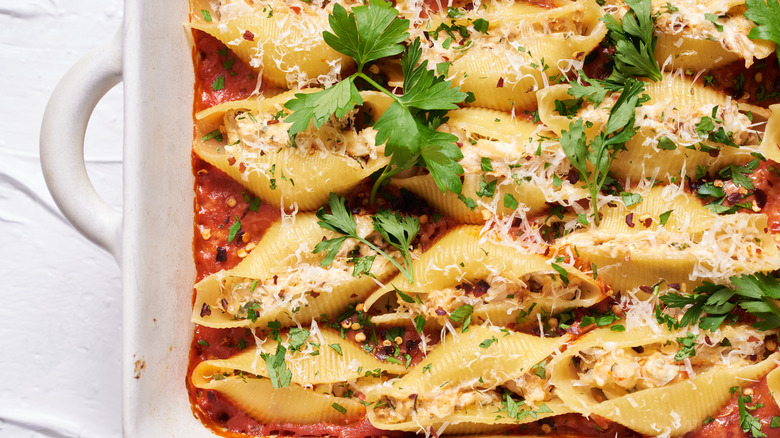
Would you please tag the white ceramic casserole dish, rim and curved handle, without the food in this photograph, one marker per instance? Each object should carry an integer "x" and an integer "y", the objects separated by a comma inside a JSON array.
[{"x": 152, "y": 237}]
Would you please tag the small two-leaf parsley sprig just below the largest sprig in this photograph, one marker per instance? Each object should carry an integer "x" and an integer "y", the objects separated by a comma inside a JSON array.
[{"x": 395, "y": 229}]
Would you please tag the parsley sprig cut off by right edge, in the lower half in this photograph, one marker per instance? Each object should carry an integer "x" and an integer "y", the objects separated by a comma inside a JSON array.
[{"x": 755, "y": 293}]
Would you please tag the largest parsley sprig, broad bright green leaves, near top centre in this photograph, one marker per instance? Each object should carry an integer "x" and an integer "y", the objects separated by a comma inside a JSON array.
[{"x": 408, "y": 126}]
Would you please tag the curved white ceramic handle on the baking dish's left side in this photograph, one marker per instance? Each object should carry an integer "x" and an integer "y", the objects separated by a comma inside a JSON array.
[{"x": 62, "y": 144}]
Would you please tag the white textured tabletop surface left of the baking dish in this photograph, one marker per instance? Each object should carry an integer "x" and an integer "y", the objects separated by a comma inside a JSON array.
[{"x": 60, "y": 322}]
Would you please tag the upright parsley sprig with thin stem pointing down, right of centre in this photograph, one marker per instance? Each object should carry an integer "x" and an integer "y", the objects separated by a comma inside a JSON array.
[{"x": 601, "y": 151}]
